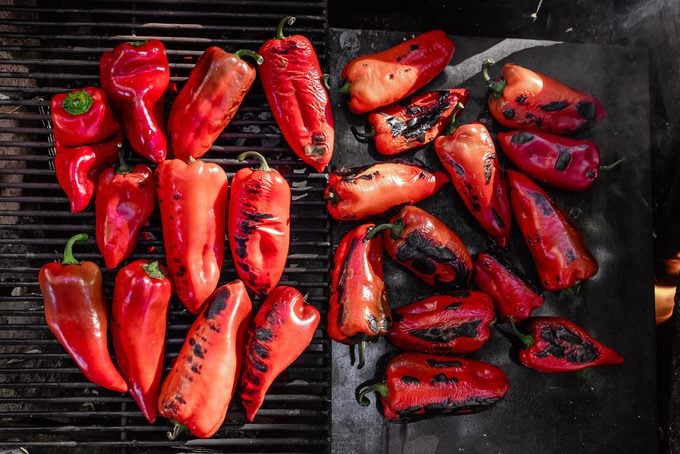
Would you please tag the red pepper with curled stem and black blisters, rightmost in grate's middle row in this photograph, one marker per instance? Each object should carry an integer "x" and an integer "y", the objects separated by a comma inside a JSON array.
[{"x": 258, "y": 224}]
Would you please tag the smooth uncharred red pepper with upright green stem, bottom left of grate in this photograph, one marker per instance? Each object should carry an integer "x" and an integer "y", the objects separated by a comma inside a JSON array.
[{"x": 77, "y": 315}]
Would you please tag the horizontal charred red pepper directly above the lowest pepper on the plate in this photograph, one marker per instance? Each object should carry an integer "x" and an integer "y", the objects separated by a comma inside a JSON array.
[{"x": 450, "y": 324}]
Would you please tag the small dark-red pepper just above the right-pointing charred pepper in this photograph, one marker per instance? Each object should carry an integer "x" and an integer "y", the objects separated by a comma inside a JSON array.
[{"x": 513, "y": 297}]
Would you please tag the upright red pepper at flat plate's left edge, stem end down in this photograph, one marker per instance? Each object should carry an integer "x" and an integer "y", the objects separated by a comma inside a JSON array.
[{"x": 358, "y": 309}]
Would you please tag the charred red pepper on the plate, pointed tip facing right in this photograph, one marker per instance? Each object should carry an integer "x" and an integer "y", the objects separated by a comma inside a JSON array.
[{"x": 559, "y": 345}]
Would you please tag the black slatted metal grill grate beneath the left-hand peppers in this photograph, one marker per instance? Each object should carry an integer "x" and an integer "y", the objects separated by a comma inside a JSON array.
[{"x": 49, "y": 47}]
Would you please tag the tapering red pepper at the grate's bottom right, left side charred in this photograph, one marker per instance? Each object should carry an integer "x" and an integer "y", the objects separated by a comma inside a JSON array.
[{"x": 281, "y": 331}]
